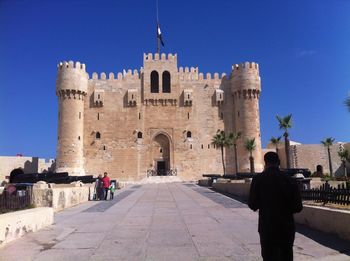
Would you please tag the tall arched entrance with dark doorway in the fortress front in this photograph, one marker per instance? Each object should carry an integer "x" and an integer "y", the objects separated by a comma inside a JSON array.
[{"x": 161, "y": 154}]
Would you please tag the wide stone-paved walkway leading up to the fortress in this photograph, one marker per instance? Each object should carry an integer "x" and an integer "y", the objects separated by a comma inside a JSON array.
[{"x": 174, "y": 221}]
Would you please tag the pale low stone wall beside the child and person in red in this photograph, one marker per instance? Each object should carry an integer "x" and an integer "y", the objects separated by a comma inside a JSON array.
[{"x": 61, "y": 196}]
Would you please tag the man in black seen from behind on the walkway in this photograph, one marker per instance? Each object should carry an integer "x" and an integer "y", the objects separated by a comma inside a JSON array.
[{"x": 277, "y": 197}]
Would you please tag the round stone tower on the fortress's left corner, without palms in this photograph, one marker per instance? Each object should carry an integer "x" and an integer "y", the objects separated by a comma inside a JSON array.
[{"x": 71, "y": 89}]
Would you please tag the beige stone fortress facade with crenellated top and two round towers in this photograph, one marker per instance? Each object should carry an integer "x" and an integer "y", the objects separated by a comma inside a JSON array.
[{"x": 160, "y": 118}]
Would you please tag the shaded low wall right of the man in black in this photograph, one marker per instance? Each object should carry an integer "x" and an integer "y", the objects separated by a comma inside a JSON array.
[{"x": 326, "y": 220}]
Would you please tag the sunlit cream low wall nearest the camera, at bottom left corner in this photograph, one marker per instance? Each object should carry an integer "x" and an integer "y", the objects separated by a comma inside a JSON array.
[{"x": 15, "y": 224}]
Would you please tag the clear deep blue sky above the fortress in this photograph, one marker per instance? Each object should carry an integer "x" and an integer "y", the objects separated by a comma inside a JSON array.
[{"x": 302, "y": 46}]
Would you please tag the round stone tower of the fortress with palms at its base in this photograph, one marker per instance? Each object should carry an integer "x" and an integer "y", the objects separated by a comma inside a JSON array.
[{"x": 246, "y": 87}]
